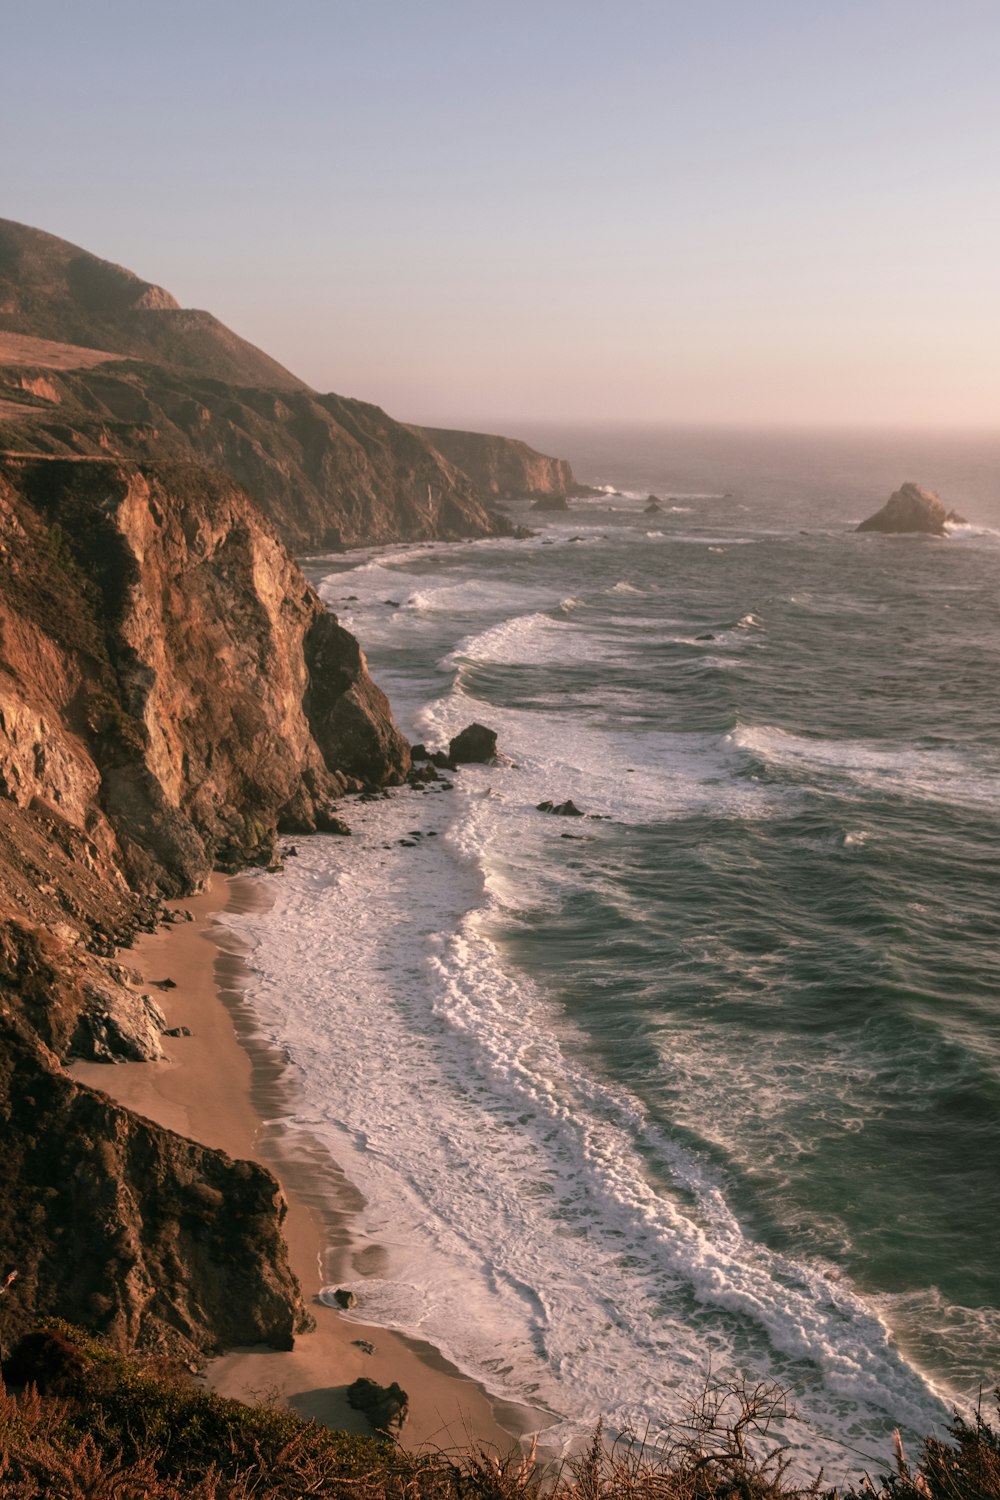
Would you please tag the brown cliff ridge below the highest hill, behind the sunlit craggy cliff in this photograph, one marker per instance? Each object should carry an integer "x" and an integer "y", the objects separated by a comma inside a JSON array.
[{"x": 329, "y": 472}]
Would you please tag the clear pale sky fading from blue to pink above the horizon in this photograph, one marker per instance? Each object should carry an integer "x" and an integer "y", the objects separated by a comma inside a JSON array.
[{"x": 753, "y": 212}]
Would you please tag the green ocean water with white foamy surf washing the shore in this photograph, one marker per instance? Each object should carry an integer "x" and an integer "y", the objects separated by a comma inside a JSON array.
[{"x": 708, "y": 1081}]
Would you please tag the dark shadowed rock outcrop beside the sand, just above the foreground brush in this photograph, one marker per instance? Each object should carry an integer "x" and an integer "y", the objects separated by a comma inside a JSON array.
[{"x": 115, "y": 1223}]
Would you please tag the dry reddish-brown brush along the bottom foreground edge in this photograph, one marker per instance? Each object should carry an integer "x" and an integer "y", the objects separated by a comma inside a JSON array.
[{"x": 80, "y": 1420}]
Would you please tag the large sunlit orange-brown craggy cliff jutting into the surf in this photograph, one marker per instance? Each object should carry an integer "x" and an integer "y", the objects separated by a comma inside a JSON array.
[{"x": 197, "y": 695}]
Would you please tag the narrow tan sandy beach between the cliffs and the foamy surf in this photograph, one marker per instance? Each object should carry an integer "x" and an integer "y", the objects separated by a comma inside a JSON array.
[{"x": 226, "y": 1088}]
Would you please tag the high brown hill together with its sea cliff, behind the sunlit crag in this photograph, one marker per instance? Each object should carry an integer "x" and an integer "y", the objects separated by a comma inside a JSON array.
[{"x": 95, "y": 361}]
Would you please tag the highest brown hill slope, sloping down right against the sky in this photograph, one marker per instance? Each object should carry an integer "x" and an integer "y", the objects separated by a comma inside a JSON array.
[{"x": 55, "y": 290}]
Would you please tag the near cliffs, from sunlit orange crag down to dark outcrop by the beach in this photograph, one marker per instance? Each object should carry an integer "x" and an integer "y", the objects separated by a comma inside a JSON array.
[{"x": 172, "y": 694}]
